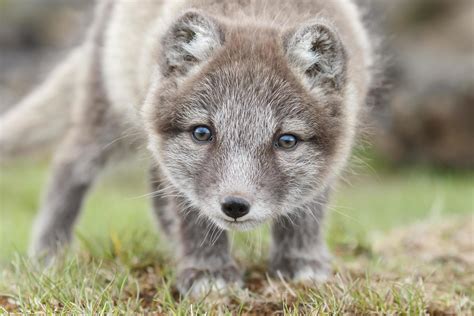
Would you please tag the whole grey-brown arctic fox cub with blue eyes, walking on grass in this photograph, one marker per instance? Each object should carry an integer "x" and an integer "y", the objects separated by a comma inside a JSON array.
[{"x": 248, "y": 108}]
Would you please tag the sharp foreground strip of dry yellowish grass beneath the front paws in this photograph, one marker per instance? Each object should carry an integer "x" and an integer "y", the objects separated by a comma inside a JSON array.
[{"x": 426, "y": 268}]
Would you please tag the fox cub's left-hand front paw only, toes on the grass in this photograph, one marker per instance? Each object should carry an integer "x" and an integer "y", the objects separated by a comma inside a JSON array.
[{"x": 198, "y": 282}]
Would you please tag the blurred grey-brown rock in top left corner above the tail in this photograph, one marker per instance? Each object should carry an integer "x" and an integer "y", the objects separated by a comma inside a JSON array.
[{"x": 34, "y": 35}]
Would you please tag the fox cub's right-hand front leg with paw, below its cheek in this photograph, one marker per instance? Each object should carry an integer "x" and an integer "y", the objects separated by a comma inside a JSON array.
[{"x": 298, "y": 251}]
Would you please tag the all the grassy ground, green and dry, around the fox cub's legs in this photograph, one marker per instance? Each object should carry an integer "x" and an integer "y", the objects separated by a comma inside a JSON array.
[{"x": 402, "y": 240}]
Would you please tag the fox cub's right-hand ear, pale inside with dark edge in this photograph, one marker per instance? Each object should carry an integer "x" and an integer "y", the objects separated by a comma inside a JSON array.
[{"x": 316, "y": 52}]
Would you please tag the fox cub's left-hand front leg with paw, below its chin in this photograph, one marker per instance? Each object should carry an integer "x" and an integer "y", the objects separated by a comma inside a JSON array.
[{"x": 204, "y": 260}]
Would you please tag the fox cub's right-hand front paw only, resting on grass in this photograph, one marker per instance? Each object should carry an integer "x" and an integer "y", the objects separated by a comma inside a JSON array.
[{"x": 301, "y": 270}]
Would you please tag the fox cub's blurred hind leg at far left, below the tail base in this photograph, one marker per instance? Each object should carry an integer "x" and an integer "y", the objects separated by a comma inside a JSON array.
[{"x": 95, "y": 135}]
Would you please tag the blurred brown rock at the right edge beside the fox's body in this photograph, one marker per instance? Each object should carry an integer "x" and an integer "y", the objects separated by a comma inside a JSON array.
[{"x": 431, "y": 115}]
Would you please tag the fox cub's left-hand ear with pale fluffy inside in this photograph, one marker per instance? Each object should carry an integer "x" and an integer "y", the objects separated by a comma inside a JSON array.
[{"x": 190, "y": 40}]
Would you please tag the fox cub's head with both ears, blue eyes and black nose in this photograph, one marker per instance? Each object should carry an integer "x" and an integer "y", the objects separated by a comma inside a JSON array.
[{"x": 246, "y": 122}]
